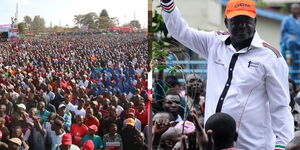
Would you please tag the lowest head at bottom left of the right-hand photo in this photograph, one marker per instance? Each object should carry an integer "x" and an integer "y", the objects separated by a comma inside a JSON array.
[{"x": 169, "y": 138}]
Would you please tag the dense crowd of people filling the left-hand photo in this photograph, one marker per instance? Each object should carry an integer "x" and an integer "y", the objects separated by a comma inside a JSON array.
[{"x": 74, "y": 91}]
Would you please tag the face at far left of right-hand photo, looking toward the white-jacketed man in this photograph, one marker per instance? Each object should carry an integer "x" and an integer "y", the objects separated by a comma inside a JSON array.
[{"x": 171, "y": 104}]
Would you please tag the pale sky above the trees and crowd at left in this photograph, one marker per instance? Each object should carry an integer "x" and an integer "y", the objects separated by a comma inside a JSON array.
[{"x": 63, "y": 11}]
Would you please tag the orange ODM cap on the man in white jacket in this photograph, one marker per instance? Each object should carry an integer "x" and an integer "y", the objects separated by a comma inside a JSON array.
[{"x": 240, "y": 7}]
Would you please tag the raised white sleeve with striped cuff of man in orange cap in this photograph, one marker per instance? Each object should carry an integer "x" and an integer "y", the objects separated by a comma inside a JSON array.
[{"x": 198, "y": 41}]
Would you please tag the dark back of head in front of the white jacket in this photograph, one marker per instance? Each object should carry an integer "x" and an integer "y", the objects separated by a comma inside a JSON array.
[{"x": 223, "y": 128}]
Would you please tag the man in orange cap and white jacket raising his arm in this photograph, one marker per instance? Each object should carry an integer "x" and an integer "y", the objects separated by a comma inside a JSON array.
[{"x": 246, "y": 77}]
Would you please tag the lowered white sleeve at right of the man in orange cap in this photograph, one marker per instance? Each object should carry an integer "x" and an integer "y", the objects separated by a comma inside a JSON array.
[{"x": 277, "y": 87}]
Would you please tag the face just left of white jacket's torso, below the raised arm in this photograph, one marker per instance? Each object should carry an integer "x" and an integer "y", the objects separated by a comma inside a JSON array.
[{"x": 193, "y": 84}]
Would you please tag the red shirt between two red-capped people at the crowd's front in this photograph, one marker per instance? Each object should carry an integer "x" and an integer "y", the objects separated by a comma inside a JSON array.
[{"x": 78, "y": 132}]
